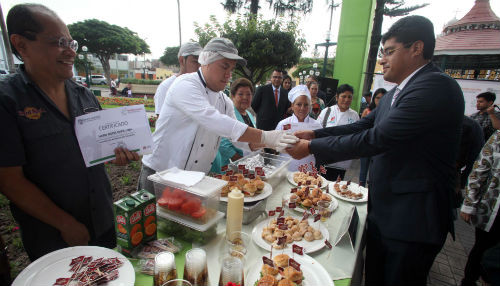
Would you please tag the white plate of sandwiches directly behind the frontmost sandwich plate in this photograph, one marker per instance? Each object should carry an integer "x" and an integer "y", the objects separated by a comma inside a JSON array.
[{"x": 309, "y": 247}]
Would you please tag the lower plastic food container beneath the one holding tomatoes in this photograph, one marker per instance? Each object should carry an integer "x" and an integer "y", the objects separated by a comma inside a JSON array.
[{"x": 186, "y": 230}]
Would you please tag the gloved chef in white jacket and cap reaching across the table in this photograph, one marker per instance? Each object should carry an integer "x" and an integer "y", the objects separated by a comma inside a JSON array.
[{"x": 196, "y": 114}]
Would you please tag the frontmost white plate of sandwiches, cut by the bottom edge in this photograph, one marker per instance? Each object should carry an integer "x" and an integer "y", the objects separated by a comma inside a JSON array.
[{"x": 313, "y": 272}]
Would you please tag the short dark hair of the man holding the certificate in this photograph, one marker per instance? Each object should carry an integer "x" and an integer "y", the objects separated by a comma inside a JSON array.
[{"x": 21, "y": 20}]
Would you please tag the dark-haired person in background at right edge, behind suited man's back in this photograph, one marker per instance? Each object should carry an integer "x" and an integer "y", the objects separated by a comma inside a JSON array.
[{"x": 486, "y": 115}]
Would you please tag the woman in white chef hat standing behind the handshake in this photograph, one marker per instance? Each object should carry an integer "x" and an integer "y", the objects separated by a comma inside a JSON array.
[{"x": 300, "y": 98}]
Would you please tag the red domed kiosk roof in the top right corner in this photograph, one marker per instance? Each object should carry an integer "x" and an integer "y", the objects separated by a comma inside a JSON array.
[{"x": 470, "y": 47}]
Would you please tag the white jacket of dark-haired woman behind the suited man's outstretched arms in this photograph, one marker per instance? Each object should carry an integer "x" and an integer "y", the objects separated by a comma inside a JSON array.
[{"x": 337, "y": 118}]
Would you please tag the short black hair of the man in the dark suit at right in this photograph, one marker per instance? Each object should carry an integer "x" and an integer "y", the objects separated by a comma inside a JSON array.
[{"x": 410, "y": 29}]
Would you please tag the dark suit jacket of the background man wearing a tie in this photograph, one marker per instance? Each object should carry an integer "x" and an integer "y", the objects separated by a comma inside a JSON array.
[{"x": 264, "y": 105}]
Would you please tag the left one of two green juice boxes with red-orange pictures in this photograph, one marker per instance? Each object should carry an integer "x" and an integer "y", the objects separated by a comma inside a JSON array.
[{"x": 129, "y": 231}]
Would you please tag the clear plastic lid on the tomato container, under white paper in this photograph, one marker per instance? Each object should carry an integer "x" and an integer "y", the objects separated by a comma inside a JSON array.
[{"x": 207, "y": 187}]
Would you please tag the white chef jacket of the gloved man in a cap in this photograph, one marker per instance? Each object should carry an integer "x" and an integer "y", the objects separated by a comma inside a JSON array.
[{"x": 191, "y": 122}]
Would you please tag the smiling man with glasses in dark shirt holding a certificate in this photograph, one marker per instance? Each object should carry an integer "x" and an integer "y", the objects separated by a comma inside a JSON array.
[{"x": 56, "y": 200}]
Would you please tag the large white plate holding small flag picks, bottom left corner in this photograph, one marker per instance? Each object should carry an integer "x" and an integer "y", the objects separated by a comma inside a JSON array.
[{"x": 48, "y": 268}]
